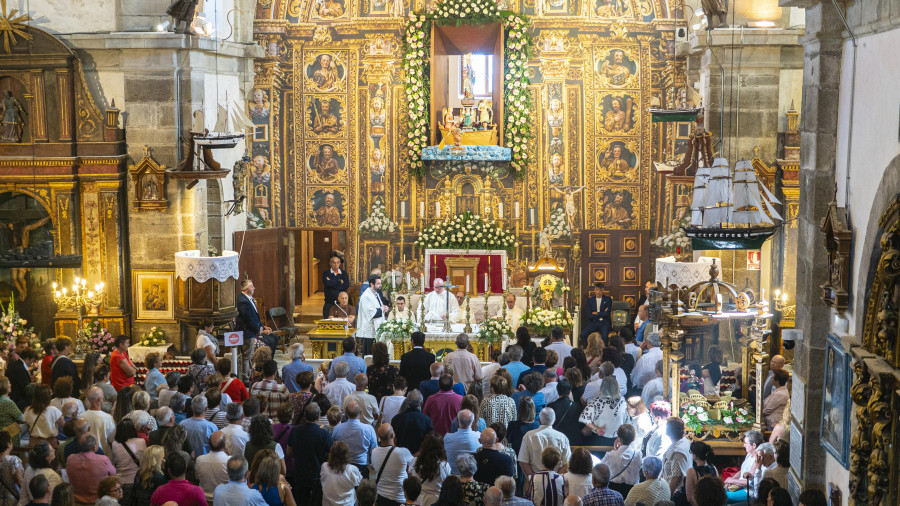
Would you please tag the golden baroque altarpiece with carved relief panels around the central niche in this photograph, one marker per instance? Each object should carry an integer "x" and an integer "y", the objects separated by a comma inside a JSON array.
[{"x": 332, "y": 138}]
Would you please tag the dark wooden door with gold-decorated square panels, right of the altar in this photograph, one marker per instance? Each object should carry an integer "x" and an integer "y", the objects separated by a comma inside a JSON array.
[{"x": 620, "y": 259}]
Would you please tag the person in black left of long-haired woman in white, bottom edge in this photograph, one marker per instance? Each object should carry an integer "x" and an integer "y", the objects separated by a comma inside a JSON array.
[{"x": 309, "y": 444}]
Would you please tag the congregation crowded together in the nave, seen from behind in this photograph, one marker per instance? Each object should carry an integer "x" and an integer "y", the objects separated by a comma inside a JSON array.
[{"x": 521, "y": 430}]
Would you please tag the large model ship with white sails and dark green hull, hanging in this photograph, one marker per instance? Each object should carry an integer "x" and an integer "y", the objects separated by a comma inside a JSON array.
[{"x": 731, "y": 212}]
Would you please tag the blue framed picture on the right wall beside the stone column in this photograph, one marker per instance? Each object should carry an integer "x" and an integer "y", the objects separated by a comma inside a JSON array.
[{"x": 836, "y": 406}]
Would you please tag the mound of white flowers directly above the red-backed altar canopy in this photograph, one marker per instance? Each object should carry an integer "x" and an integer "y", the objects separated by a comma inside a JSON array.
[{"x": 467, "y": 231}]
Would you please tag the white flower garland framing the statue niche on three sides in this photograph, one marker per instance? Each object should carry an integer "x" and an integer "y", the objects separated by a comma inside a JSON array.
[{"x": 416, "y": 66}]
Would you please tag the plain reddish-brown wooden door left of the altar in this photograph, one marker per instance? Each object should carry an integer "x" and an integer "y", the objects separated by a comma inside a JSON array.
[{"x": 264, "y": 259}]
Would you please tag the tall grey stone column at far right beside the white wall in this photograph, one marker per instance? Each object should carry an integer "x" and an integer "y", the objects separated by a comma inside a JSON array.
[{"x": 819, "y": 117}]
